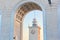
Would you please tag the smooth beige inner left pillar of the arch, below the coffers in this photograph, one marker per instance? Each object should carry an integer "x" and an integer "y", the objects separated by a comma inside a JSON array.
[{"x": 18, "y": 30}]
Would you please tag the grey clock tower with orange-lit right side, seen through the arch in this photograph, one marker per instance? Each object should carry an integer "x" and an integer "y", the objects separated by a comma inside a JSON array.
[{"x": 34, "y": 31}]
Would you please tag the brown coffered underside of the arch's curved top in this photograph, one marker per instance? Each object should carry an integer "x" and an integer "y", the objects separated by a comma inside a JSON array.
[{"x": 25, "y": 8}]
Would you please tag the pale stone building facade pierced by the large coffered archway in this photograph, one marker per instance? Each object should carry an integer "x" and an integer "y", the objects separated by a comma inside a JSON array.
[{"x": 8, "y": 12}]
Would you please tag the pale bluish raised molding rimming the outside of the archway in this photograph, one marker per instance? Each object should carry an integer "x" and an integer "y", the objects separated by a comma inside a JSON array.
[{"x": 15, "y": 9}]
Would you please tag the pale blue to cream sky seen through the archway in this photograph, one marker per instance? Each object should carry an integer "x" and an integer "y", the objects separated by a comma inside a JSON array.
[{"x": 28, "y": 22}]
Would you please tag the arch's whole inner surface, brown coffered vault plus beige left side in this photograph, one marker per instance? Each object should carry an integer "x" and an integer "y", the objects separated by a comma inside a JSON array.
[{"x": 19, "y": 17}]
